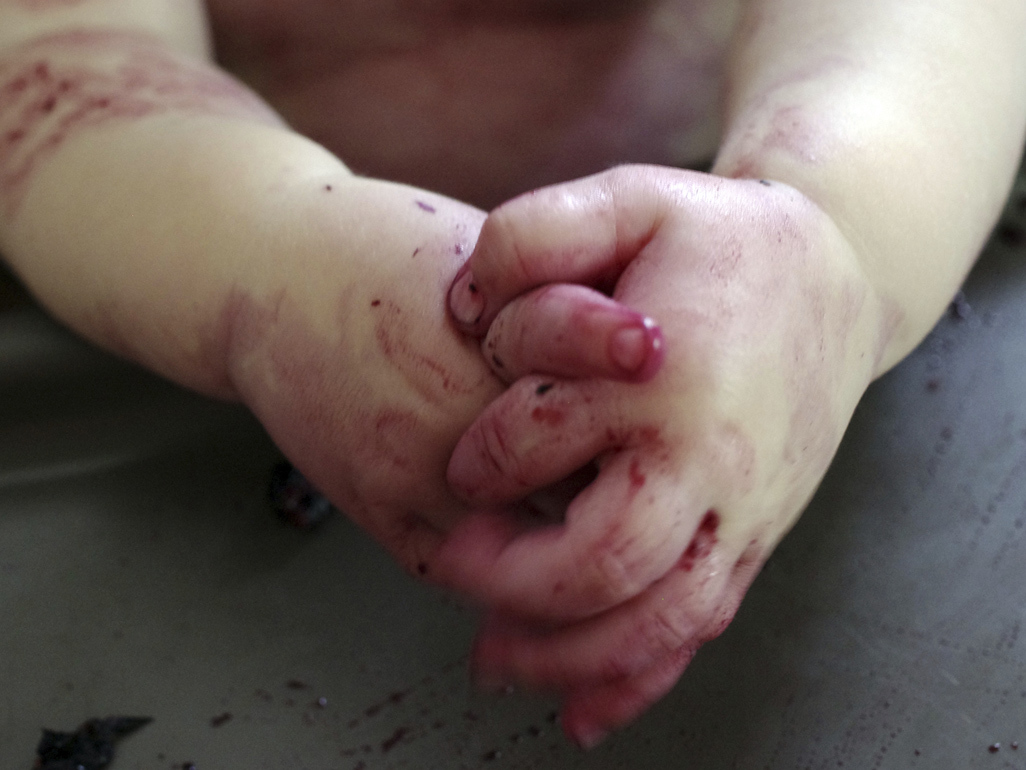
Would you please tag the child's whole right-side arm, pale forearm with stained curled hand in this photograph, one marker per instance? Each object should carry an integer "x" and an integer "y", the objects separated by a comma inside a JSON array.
[{"x": 887, "y": 135}]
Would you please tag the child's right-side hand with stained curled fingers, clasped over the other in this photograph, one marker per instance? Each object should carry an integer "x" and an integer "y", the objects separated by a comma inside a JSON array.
[{"x": 772, "y": 334}]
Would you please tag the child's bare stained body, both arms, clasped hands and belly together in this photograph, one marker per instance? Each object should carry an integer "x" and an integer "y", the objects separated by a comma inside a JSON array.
[{"x": 861, "y": 159}]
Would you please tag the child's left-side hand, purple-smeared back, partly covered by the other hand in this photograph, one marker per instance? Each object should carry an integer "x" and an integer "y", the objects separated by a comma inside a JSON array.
[{"x": 346, "y": 354}]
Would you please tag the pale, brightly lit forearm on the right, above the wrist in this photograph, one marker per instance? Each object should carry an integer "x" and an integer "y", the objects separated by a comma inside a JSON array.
[{"x": 902, "y": 120}]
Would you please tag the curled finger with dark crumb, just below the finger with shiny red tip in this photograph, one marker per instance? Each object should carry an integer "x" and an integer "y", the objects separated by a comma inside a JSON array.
[{"x": 536, "y": 434}]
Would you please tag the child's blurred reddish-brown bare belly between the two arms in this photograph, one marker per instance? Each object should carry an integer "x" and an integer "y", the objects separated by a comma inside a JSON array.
[{"x": 486, "y": 99}]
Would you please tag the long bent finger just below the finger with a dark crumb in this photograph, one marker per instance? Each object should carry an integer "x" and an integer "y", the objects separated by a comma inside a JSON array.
[{"x": 617, "y": 542}]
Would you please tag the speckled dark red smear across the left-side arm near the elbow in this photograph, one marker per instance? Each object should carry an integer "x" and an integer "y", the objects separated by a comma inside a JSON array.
[{"x": 59, "y": 87}]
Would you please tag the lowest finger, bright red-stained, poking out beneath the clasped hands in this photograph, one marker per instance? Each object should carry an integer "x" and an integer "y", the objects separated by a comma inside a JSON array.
[{"x": 591, "y": 715}]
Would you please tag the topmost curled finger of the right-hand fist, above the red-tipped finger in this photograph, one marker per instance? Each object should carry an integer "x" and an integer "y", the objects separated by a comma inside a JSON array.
[{"x": 585, "y": 232}]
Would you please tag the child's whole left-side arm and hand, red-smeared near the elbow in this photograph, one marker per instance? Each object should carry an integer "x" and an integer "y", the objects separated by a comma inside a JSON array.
[{"x": 162, "y": 210}]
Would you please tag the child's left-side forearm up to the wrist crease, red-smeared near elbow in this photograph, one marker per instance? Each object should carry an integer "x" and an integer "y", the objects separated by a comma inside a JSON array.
[{"x": 119, "y": 149}]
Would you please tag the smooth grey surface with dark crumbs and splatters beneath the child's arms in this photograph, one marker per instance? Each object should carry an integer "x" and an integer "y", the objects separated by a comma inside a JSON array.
[{"x": 141, "y": 573}]
